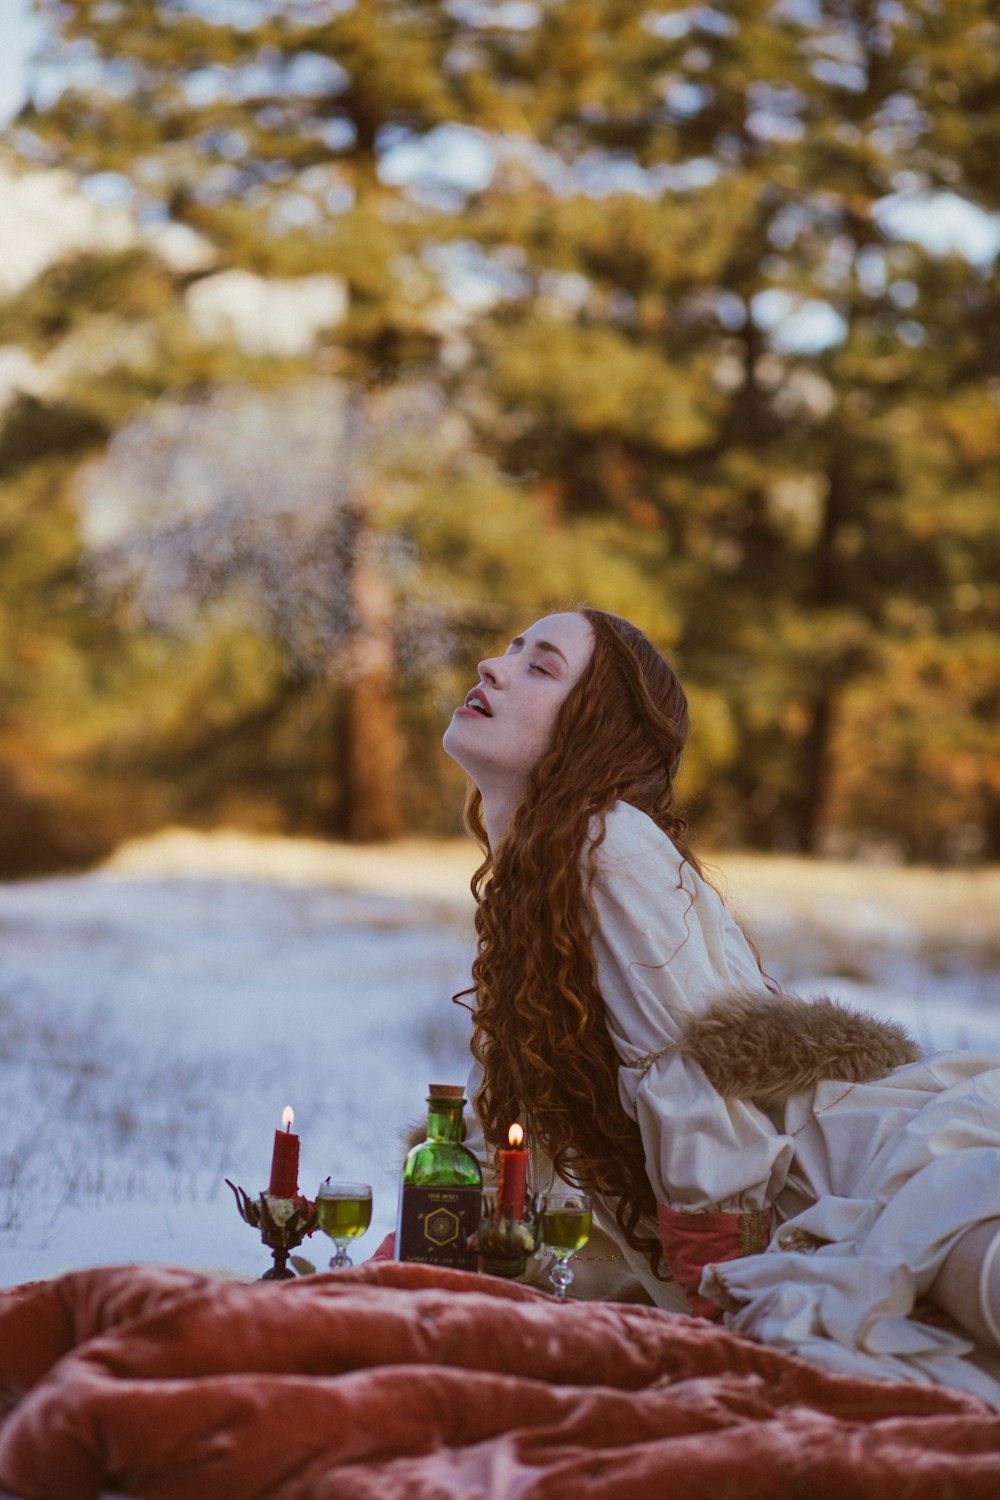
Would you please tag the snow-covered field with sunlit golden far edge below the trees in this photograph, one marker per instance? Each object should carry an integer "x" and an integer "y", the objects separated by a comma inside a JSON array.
[{"x": 158, "y": 1015}]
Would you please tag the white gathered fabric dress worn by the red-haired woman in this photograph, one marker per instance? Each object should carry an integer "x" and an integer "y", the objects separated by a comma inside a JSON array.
[{"x": 866, "y": 1172}]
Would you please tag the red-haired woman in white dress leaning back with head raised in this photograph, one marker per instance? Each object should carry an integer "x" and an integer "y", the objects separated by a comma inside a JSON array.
[{"x": 621, "y": 1012}]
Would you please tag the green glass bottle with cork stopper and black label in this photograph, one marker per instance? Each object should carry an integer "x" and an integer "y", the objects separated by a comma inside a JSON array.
[{"x": 442, "y": 1192}]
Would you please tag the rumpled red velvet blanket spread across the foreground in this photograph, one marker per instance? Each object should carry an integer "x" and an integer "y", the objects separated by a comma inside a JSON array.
[{"x": 406, "y": 1384}]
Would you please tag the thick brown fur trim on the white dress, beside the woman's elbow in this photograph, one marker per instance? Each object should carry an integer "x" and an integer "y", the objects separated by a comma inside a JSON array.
[{"x": 765, "y": 1048}]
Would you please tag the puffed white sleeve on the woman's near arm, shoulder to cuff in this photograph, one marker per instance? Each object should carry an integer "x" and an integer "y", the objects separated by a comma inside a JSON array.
[{"x": 665, "y": 949}]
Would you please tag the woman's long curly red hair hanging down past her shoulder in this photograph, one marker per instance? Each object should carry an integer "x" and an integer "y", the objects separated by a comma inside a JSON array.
[{"x": 540, "y": 1033}]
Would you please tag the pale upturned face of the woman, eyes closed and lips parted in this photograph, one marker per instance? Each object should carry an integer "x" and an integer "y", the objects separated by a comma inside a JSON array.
[{"x": 504, "y": 727}]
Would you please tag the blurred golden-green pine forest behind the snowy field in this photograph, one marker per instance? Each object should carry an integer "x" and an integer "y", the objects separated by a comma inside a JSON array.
[{"x": 380, "y": 328}]
